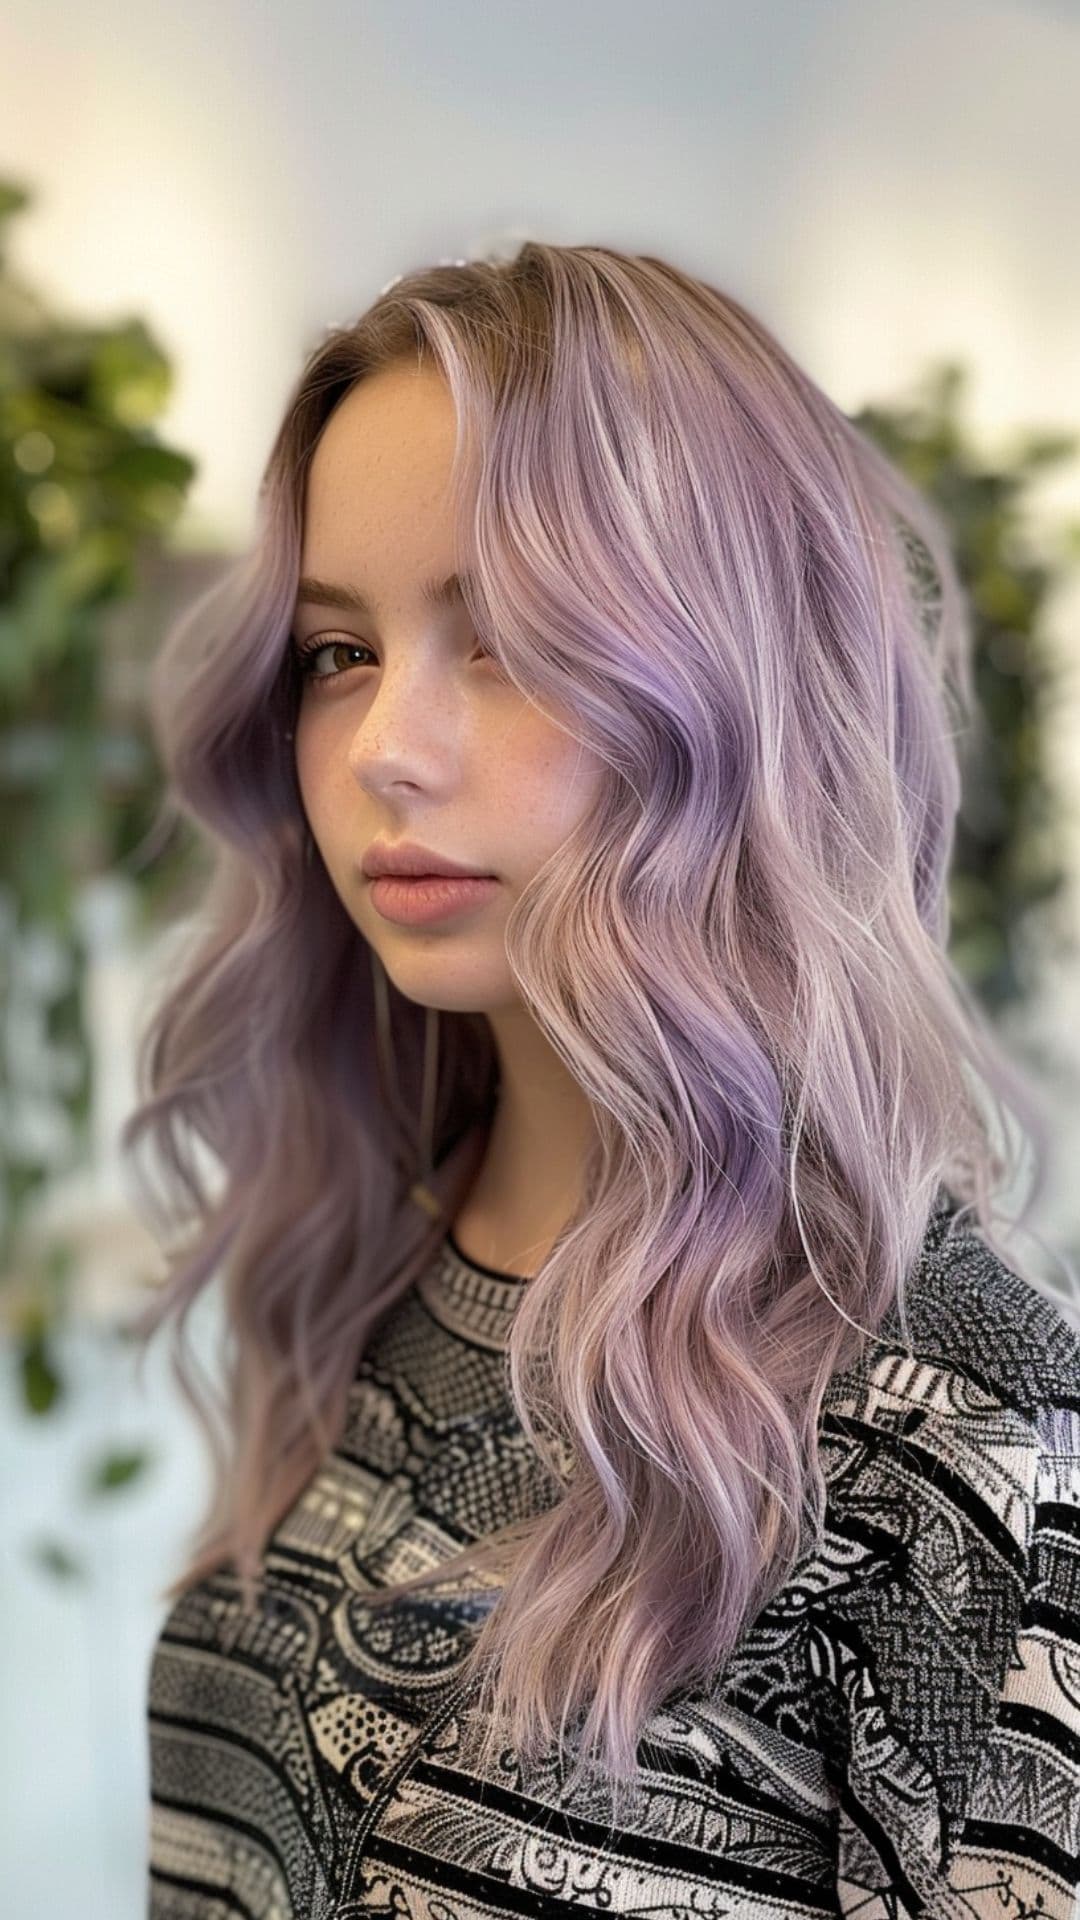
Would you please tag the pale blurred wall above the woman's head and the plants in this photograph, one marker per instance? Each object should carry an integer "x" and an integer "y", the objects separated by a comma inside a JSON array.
[{"x": 881, "y": 181}]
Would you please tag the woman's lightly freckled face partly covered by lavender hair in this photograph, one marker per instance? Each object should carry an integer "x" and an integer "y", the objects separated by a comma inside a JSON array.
[{"x": 406, "y": 729}]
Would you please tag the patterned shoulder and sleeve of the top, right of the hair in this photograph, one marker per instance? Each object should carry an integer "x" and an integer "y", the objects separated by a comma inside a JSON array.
[{"x": 945, "y": 1595}]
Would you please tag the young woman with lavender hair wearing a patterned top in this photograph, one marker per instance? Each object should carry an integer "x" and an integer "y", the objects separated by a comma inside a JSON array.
[{"x": 650, "y": 1489}]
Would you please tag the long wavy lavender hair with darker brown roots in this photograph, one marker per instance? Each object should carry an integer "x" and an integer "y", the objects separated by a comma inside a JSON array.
[{"x": 758, "y": 625}]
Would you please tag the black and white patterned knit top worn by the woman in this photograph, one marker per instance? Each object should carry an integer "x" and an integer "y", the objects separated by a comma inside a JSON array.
[{"x": 896, "y": 1735}]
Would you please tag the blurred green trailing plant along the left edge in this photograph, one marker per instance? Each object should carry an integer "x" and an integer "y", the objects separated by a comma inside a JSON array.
[{"x": 87, "y": 496}]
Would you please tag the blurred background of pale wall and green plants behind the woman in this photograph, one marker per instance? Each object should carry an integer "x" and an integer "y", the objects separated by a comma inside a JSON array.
[{"x": 187, "y": 199}]
